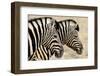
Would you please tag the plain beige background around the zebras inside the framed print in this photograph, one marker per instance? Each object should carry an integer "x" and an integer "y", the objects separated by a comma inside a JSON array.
[{"x": 83, "y": 35}]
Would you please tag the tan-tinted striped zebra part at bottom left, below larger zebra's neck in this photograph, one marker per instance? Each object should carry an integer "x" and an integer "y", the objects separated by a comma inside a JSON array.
[{"x": 42, "y": 53}]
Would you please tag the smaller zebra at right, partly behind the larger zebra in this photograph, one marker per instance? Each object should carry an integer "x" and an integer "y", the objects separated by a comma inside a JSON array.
[{"x": 68, "y": 33}]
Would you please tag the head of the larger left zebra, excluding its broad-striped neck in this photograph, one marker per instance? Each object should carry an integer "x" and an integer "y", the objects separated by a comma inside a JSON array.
[{"x": 53, "y": 40}]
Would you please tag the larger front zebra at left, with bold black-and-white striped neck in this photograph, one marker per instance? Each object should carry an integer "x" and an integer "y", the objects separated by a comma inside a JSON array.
[{"x": 43, "y": 35}]
